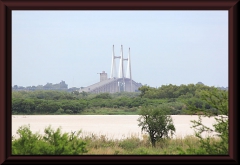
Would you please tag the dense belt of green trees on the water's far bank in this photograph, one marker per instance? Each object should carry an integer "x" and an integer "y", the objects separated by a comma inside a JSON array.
[{"x": 176, "y": 98}]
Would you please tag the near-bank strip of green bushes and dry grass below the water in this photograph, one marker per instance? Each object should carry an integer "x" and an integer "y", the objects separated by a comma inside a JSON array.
[{"x": 53, "y": 142}]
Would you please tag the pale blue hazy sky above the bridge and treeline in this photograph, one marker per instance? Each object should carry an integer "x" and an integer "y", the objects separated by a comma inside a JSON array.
[{"x": 167, "y": 46}]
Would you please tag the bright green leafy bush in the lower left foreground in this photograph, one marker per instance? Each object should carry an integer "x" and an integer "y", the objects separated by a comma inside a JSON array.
[{"x": 52, "y": 143}]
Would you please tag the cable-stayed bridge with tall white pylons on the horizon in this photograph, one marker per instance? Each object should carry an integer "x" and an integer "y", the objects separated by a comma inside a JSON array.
[{"x": 116, "y": 83}]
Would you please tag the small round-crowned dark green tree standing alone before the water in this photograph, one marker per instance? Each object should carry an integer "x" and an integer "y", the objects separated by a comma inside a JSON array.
[{"x": 155, "y": 121}]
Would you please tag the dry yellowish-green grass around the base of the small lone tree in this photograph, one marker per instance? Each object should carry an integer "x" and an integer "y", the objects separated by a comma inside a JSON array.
[{"x": 101, "y": 145}]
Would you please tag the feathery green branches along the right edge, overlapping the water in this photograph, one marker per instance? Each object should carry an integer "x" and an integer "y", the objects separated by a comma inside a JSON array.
[{"x": 219, "y": 100}]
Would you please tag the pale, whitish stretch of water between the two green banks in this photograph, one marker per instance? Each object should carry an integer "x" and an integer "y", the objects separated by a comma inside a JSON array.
[{"x": 112, "y": 126}]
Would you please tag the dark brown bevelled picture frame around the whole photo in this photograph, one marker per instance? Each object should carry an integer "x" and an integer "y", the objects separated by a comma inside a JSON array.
[{"x": 6, "y": 6}]
